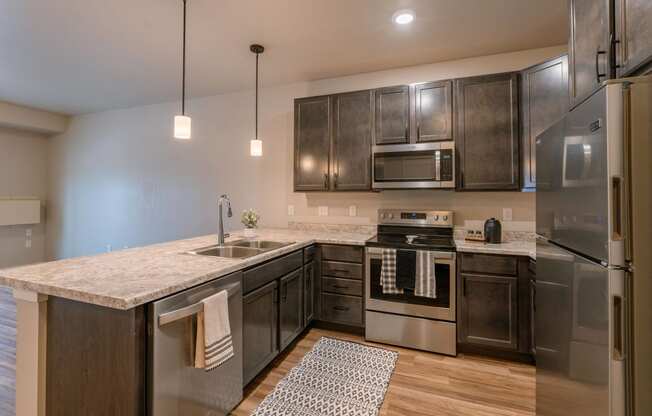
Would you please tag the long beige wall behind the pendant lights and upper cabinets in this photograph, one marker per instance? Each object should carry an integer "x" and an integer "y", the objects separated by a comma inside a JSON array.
[{"x": 118, "y": 178}]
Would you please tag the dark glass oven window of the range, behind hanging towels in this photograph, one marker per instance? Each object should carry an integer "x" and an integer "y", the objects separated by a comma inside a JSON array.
[{"x": 442, "y": 276}]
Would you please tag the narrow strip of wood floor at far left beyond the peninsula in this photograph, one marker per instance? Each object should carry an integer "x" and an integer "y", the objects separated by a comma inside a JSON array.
[{"x": 7, "y": 352}]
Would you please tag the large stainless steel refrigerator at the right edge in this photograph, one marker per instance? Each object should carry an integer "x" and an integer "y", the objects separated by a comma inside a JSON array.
[{"x": 593, "y": 316}]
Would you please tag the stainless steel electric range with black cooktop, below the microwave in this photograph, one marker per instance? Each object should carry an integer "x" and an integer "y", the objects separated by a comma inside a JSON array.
[{"x": 407, "y": 320}]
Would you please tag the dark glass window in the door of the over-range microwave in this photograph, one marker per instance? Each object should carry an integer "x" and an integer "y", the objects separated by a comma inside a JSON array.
[{"x": 410, "y": 166}]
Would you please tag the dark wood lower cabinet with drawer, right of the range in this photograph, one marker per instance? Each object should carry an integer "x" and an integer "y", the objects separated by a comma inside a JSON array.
[{"x": 494, "y": 305}]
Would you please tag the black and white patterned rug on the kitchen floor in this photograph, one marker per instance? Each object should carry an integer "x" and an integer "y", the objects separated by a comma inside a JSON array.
[{"x": 336, "y": 378}]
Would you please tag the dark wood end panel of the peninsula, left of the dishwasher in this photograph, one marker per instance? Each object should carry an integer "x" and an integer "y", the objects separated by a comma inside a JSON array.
[{"x": 96, "y": 359}]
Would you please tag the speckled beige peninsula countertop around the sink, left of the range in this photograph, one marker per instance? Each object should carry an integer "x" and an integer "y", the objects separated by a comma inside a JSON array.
[{"x": 129, "y": 278}]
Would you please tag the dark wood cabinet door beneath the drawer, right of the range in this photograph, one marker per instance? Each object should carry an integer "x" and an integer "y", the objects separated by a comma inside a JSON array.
[{"x": 489, "y": 311}]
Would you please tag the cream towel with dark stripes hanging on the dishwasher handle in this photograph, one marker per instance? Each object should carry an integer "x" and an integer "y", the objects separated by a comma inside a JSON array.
[{"x": 214, "y": 344}]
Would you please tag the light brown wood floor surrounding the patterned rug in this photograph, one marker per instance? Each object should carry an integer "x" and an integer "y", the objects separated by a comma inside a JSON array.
[{"x": 424, "y": 384}]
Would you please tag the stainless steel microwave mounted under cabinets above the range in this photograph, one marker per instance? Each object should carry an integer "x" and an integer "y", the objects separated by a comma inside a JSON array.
[{"x": 414, "y": 166}]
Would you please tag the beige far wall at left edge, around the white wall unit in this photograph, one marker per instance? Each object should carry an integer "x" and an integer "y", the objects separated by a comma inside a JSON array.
[{"x": 23, "y": 164}]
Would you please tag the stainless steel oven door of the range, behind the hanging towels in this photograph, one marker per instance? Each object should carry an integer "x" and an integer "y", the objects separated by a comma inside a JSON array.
[{"x": 441, "y": 308}]
